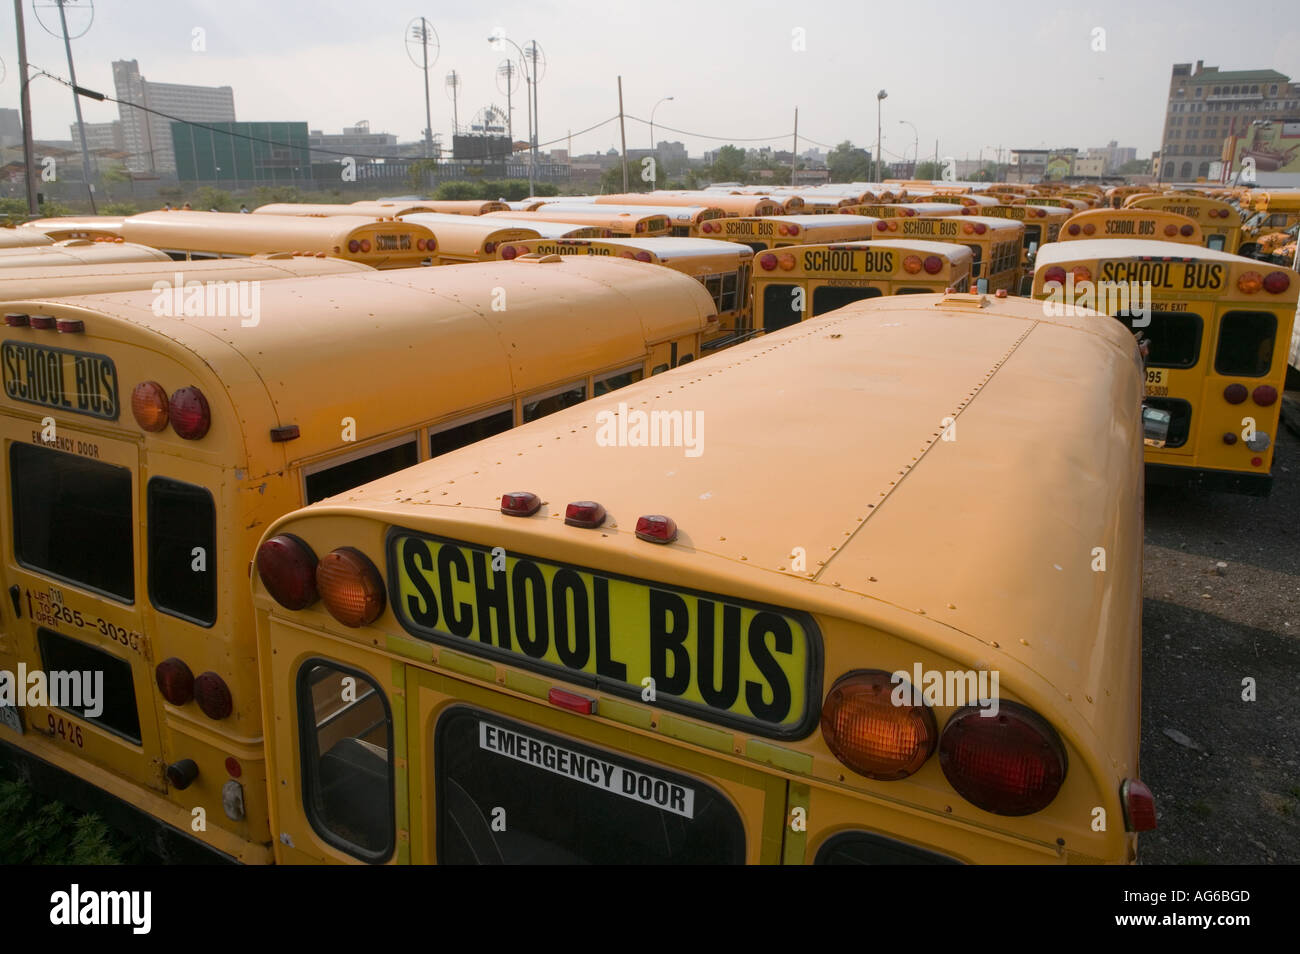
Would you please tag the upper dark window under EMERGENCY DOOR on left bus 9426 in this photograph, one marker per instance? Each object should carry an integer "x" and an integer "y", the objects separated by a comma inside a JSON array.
[{"x": 72, "y": 519}]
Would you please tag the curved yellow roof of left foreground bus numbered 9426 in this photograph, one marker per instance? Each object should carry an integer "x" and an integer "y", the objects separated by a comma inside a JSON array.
[{"x": 392, "y": 339}]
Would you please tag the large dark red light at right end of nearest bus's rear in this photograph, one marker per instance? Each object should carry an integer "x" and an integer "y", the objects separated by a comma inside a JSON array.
[{"x": 1012, "y": 764}]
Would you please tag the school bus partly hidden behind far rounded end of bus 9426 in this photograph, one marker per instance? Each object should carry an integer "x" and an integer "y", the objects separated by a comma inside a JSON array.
[{"x": 723, "y": 268}]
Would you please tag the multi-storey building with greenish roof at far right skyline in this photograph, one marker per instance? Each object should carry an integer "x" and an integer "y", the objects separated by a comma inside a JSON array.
[{"x": 1208, "y": 105}]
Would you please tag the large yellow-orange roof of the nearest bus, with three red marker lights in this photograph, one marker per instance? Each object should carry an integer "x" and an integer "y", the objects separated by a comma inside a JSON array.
[{"x": 855, "y": 470}]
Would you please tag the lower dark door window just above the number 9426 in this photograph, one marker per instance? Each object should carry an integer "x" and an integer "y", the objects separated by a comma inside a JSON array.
[{"x": 114, "y": 706}]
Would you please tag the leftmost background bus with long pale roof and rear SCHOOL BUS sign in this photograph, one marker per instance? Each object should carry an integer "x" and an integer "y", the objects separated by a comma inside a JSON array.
[{"x": 196, "y": 236}]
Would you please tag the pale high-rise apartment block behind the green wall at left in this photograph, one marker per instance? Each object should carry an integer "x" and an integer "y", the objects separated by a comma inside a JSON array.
[{"x": 148, "y": 136}]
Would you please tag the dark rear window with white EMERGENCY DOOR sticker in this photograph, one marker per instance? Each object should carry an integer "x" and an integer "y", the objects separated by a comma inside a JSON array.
[{"x": 569, "y": 804}]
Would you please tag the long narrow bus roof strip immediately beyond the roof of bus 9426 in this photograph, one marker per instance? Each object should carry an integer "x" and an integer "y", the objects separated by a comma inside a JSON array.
[{"x": 62, "y": 281}]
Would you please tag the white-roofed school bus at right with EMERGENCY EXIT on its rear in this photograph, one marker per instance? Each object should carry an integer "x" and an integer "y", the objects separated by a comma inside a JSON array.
[{"x": 1217, "y": 327}]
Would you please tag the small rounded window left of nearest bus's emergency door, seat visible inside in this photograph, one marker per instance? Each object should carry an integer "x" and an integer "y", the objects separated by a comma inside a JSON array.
[{"x": 345, "y": 732}]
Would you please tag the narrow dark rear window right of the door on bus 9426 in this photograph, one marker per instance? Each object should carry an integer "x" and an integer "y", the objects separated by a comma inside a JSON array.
[{"x": 183, "y": 541}]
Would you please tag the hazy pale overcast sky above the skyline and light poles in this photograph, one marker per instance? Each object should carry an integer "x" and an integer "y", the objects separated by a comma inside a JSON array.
[{"x": 1016, "y": 73}]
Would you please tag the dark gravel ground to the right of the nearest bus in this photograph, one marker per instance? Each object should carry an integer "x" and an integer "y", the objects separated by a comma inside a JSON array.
[{"x": 1225, "y": 771}]
